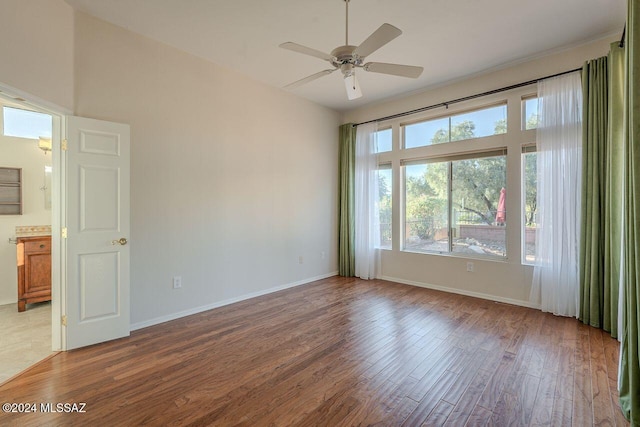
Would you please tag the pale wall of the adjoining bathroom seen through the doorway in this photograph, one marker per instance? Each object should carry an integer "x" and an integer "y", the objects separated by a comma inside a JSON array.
[{"x": 20, "y": 153}]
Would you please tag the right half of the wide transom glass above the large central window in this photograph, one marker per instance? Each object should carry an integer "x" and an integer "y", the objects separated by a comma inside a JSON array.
[{"x": 476, "y": 124}]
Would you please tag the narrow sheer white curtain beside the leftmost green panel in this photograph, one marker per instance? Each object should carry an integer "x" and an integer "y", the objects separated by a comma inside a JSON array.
[{"x": 367, "y": 222}]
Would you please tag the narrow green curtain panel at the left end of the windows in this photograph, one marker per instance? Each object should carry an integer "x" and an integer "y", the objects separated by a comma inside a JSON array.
[{"x": 346, "y": 231}]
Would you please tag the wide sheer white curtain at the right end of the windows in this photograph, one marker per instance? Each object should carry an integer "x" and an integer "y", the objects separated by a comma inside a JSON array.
[{"x": 556, "y": 278}]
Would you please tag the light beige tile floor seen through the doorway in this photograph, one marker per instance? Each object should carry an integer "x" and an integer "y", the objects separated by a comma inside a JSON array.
[{"x": 25, "y": 337}]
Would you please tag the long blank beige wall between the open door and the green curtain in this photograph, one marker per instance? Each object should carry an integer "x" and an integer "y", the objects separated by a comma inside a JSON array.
[{"x": 232, "y": 181}]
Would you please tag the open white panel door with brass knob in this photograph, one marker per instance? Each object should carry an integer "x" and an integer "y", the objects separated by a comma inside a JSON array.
[{"x": 97, "y": 297}]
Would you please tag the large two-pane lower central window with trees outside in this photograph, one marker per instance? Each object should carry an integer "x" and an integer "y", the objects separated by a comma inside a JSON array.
[{"x": 456, "y": 205}]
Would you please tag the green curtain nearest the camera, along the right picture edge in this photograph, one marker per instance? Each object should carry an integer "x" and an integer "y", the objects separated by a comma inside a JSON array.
[{"x": 630, "y": 361}]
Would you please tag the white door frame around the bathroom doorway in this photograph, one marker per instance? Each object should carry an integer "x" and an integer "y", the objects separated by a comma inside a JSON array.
[{"x": 58, "y": 206}]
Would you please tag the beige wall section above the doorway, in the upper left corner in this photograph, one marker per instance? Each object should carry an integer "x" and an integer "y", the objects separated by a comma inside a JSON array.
[{"x": 37, "y": 49}]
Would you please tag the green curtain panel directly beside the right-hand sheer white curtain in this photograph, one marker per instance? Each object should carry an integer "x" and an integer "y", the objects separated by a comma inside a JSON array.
[{"x": 592, "y": 232}]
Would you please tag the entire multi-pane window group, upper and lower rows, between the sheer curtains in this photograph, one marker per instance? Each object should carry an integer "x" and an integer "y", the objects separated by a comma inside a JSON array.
[{"x": 453, "y": 191}]
